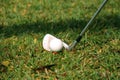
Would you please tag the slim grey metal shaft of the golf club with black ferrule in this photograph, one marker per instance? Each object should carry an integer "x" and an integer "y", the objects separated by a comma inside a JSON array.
[{"x": 85, "y": 28}]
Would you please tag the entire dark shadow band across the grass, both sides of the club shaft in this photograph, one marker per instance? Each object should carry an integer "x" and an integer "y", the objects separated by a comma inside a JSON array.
[{"x": 56, "y": 27}]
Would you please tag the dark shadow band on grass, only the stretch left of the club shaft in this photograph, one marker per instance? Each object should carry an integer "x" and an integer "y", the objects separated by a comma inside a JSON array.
[{"x": 41, "y": 27}]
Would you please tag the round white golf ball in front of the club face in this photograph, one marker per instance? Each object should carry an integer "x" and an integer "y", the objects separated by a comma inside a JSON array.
[{"x": 56, "y": 45}]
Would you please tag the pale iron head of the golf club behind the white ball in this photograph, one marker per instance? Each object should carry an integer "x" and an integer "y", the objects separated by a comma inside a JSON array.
[{"x": 48, "y": 38}]
